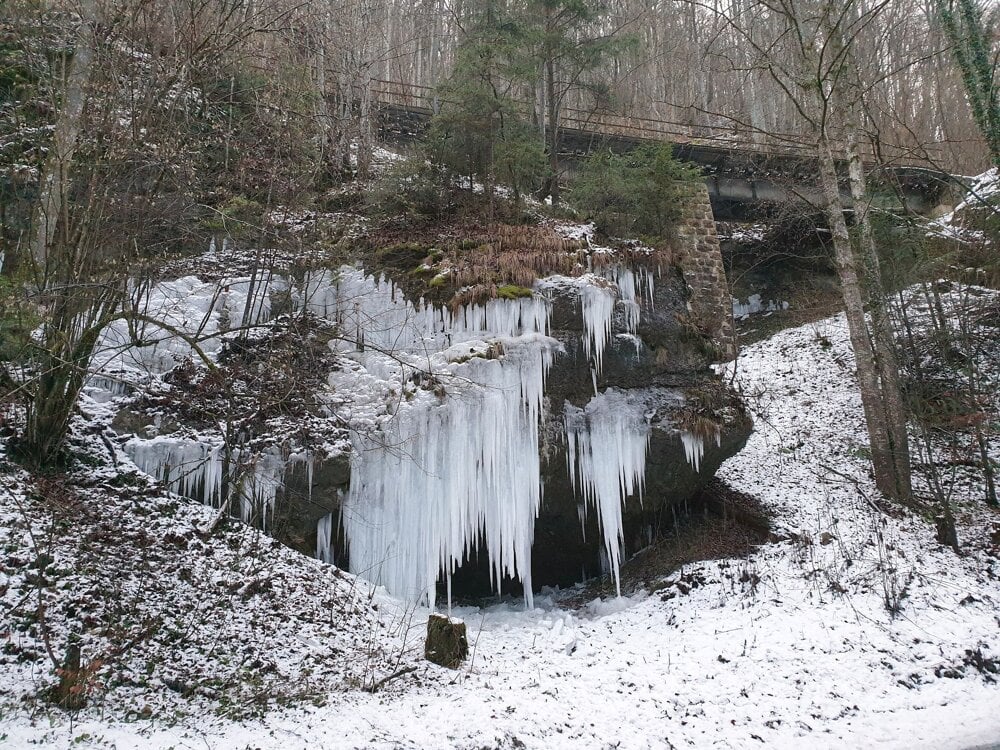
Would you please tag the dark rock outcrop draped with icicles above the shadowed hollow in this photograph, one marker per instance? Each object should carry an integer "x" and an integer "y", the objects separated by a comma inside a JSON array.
[{"x": 537, "y": 441}]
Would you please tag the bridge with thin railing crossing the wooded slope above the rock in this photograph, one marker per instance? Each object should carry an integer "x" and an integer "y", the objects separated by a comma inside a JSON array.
[{"x": 748, "y": 177}]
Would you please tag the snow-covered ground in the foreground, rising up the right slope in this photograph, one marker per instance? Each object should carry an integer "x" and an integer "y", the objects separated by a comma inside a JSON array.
[{"x": 793, "y": 646}]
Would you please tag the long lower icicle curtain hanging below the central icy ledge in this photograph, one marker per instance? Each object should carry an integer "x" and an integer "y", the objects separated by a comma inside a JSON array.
[{"x": 448, "y": 474}]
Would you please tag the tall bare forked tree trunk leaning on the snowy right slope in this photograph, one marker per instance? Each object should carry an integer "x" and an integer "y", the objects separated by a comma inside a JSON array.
[{"x": 806, "y": 47}]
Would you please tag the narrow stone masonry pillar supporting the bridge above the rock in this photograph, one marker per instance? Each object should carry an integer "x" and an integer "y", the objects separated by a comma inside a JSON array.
[{"x": 701, "y": 263}]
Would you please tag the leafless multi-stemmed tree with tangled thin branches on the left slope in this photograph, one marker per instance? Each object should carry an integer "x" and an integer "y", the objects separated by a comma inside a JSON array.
[{"x": 124, "y": 172}]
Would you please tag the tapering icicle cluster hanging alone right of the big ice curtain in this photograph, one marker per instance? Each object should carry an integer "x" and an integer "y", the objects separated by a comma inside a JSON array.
[{"x": 606, "y": 449}]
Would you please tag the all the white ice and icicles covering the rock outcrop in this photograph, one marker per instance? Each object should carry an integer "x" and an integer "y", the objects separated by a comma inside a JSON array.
[{"x": 443, "y": 406}]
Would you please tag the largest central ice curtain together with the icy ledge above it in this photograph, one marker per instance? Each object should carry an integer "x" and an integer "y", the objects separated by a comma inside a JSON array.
[{"x": 444, "y": 408}]
